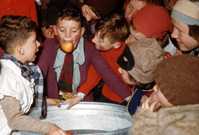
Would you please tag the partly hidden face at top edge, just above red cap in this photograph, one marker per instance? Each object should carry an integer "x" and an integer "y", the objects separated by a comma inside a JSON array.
[{"x": 132, "y": 8}]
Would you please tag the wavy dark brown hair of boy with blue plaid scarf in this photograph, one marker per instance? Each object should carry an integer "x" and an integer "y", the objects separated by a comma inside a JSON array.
[{"x": 15, "y": 30}]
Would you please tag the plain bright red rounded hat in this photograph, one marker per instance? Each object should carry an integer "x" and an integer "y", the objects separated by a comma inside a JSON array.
[{"x": 153, "y": 21}]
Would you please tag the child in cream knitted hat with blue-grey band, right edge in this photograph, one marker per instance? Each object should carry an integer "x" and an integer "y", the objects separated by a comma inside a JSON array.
[{"x": 185, "y": 20}]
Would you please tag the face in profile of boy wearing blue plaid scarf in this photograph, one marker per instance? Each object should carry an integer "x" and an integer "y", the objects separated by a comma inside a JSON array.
[{"x": 29, "y": 48}]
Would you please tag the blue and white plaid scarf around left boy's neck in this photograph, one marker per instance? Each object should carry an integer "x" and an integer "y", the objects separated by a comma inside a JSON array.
[{"x": 31, "y": 71}]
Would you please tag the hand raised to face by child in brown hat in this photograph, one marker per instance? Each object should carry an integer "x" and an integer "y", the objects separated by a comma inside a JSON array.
[{"x": 150, "y": 107}]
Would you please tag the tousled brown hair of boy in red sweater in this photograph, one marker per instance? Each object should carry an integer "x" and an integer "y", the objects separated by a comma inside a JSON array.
[{"x": 115, "y": 27}]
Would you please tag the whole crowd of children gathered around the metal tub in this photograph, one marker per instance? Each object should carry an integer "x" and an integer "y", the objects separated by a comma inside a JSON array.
[{"x": 127, "y": 47}]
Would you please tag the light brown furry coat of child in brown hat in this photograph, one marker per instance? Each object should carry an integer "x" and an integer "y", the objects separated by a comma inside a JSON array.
[{"x": 178, "y": 120}]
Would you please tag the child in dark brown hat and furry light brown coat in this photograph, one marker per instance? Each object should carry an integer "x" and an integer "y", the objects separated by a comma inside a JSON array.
[{"x": 178, "y": 97}]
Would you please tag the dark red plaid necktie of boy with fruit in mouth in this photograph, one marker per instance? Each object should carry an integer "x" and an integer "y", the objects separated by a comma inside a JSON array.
[{"x": 66, "y": 76}]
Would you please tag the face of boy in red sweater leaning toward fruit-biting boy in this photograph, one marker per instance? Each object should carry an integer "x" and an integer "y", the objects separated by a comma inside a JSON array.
[{"x": 104, "y": 44}]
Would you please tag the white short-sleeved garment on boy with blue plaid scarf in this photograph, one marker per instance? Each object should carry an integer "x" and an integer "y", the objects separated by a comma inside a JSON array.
[{"x": 13, "y": 84}]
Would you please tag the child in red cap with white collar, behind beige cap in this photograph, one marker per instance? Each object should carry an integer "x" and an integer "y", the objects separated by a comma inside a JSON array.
[{"x": 154, "y": 22}]
